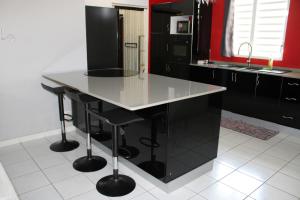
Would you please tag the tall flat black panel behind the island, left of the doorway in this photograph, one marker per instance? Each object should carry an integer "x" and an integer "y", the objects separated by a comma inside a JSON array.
[{"x": 102, "y": 30}]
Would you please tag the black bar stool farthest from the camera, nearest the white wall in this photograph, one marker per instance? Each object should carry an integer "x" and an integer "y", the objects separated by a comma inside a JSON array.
[{"x": 64, "y": 145}]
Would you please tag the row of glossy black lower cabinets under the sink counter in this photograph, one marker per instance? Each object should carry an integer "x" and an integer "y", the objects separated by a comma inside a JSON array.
[{"x": 263, "y": 96}]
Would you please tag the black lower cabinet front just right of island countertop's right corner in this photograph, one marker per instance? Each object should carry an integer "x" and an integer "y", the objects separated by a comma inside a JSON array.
[{"x": 240, "y": 92}]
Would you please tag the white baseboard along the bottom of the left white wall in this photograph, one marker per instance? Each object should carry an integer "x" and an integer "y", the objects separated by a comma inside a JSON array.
[{"x": 34, "y": 136}]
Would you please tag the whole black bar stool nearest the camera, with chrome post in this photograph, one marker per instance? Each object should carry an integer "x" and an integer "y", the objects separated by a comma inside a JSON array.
[{"x": 116, "y": 184}]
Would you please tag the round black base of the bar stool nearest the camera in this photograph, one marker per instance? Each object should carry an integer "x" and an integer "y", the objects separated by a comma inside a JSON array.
[{"x": 111, "y": 187}]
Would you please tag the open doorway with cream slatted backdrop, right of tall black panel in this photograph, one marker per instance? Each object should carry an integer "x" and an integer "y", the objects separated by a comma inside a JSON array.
[{"x": 132, "y": 38}]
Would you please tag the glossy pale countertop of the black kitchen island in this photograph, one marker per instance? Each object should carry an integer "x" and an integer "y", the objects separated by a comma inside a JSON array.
[{"x": 135, "y": 92}]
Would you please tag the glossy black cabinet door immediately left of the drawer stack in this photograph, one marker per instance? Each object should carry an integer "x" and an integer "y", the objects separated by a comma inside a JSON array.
[{"x": 268, "y": 90}]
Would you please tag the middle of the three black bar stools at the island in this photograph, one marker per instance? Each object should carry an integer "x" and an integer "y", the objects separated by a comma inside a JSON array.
[{"x": 89, "y": 163}]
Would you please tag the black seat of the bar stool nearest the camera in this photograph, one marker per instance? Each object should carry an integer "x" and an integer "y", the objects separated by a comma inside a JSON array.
[{"x": 117, "y": 117}]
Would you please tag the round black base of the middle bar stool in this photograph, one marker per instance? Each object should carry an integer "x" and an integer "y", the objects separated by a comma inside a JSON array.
[{"x": 86, "y": 164}]
